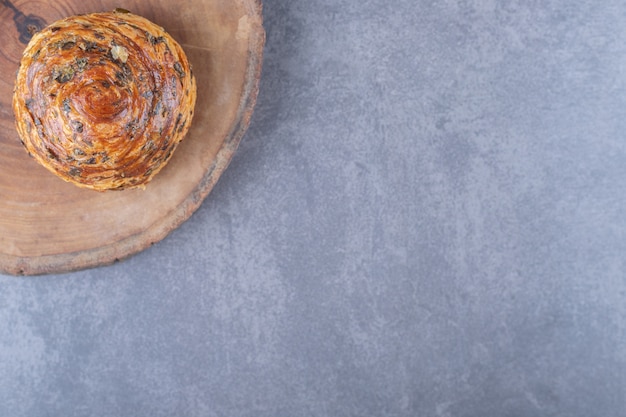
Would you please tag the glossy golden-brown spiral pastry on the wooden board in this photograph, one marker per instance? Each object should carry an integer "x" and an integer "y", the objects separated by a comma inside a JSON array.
[{"x": 102, "y": 100}]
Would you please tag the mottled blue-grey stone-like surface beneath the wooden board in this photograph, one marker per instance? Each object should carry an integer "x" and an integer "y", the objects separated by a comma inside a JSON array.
[{"x": 427, "y": 217}]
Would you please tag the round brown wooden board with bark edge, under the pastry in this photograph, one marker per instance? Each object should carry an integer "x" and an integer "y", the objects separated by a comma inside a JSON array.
[{"x": 50, "y": 226}]
